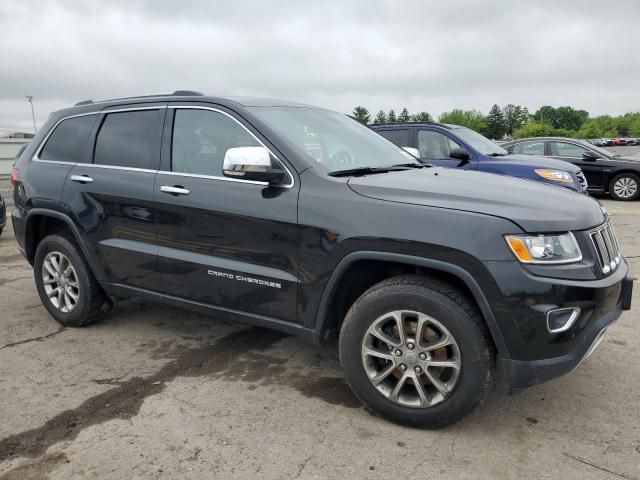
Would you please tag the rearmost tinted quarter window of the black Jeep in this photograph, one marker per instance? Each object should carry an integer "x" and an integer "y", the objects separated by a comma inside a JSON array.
[{"x": 68, "y": 141}]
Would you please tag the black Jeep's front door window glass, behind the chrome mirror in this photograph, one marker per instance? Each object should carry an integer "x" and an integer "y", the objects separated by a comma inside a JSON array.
[{"x": 201, "y": 139}]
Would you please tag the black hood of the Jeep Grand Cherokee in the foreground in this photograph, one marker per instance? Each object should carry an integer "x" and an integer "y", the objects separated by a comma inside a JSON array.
[{"x": 534, "y": 206}]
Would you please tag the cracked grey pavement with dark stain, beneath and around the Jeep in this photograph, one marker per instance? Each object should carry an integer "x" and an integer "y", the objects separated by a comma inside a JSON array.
[{"x": 155, "y": 392}]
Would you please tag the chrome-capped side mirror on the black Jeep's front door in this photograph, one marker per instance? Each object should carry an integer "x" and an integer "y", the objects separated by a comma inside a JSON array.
[{"x": 251, "y": 163}]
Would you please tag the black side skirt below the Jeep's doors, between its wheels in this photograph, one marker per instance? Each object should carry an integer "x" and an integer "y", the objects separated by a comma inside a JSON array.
[{"x": 126, "y": 291}]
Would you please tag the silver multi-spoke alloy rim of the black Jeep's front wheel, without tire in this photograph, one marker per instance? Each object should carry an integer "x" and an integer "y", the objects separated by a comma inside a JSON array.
[{"x": 411, "y": 358}]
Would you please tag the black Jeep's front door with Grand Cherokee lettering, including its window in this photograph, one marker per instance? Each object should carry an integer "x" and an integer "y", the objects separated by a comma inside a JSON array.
[{"x": 228, "y": 243}]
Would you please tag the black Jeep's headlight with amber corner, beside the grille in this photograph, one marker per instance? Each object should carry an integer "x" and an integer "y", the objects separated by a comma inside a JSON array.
[{"x": 561, "y": 248}]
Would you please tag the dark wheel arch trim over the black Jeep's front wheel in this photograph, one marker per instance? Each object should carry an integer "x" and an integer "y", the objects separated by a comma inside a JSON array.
[{"x": 449, "y": 270}]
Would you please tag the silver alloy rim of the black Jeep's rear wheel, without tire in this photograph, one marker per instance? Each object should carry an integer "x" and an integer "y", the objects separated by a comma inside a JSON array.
[{"x": 60, "y": 282}]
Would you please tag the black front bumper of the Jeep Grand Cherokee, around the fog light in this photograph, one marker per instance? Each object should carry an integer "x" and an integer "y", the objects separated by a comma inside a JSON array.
[{"x": 532, "y": 353}]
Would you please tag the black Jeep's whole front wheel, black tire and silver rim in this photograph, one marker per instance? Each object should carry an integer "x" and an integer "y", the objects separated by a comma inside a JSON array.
[{"x": 452, "y": 313}]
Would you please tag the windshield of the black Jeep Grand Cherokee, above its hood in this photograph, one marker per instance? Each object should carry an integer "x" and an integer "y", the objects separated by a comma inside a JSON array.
[{"x": 332, "y": 140}]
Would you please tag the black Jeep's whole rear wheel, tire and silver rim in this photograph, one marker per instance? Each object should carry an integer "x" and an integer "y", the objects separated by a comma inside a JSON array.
[{"x": 90, "y": 301}]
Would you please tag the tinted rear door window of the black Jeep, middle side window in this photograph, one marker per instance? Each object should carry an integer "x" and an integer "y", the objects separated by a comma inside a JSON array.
[{"x": 129, "y": 139}]
